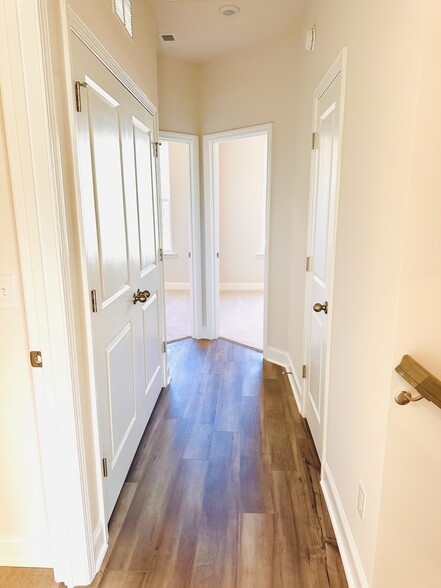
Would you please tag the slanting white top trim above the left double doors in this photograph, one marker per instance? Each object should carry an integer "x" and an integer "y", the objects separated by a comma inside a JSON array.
[{"x": 78, "y": 27}]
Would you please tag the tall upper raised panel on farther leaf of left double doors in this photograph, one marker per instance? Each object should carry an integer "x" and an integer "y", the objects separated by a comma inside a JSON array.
[{"x": 145, "y": 195}]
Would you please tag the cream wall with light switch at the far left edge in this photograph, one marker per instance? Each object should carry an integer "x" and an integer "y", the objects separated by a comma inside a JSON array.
[{"x": 22, "y": 508}]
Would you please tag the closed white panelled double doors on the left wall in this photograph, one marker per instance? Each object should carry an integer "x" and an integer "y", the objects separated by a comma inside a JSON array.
[{"x": 119, "y": 218}]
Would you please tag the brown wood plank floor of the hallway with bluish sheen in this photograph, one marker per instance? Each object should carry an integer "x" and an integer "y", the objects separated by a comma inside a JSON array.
[{"x": 224, "y": 489}]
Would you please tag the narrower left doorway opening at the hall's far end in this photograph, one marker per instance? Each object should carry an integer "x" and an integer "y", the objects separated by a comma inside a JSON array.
[{"x": 178, "y": 156}]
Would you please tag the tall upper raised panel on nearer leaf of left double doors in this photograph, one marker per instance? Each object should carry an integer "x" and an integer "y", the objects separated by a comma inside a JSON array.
[{"x": 110, "y": 205}]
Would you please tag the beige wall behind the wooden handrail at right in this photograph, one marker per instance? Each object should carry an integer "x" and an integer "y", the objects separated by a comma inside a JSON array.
[{"x": 410, "y": 515}]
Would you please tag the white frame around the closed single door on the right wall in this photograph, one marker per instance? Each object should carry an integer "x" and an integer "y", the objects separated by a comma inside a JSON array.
[{"x": 338, "y": 67}]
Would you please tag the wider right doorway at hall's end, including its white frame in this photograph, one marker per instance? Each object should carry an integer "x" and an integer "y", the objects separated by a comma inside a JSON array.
[{"x": 237, "y": 177}]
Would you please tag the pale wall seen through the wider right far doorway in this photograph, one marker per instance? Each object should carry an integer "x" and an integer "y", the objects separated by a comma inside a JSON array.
[{"x": 241, "y": 207}]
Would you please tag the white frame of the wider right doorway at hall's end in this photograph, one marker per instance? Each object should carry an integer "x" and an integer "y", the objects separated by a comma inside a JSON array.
[{"x": 211, "y": 185}]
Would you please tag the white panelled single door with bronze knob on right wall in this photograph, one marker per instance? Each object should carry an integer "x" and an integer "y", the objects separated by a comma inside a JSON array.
[{"x": 322, "y": 216}]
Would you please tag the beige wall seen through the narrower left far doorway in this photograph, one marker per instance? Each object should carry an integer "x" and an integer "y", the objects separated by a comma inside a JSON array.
[{"x": 176, "y": 269}]
